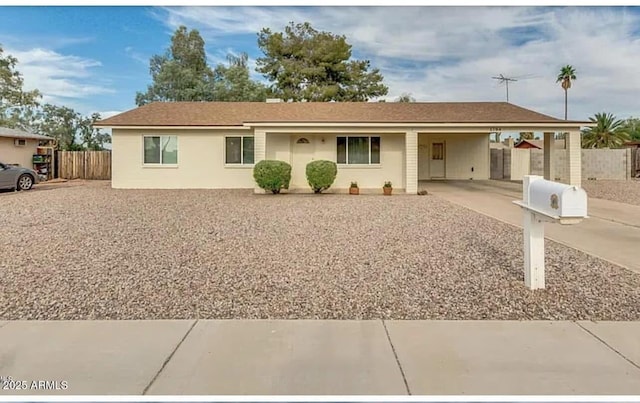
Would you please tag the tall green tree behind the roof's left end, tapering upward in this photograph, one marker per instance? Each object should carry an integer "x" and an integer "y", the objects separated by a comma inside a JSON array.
[{"x": 182, "y": 73}]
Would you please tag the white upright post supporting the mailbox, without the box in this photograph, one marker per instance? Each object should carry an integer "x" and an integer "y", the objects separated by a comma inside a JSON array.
[{"x": 533, "y": 240}]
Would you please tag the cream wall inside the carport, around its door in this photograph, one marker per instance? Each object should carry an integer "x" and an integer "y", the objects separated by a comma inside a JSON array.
[{"x": 462, "y": 152}]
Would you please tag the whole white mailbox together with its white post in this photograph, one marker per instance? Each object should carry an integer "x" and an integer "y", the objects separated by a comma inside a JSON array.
[{"x": 546, "y": 201}]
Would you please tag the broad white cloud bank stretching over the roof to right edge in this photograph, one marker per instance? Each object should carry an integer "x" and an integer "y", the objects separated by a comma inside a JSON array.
[{"x": 451, "y": 53}]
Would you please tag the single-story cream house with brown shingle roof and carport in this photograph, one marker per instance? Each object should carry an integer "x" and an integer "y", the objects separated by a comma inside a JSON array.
[{"x": 215, "y": 144}]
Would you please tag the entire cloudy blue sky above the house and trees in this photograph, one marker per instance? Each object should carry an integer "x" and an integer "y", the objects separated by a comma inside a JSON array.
[{"x": 94, "y": 59}]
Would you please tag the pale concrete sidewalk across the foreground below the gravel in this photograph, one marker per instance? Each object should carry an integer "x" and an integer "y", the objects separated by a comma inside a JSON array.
[{"x": 187, "y": 357}]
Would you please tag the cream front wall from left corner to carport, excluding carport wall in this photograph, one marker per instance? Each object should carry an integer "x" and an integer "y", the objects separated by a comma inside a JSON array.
[{"x": 201, "y": 161}]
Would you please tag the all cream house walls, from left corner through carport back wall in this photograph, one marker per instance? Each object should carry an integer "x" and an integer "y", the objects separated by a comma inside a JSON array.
[{"x": 201, "y": 159}]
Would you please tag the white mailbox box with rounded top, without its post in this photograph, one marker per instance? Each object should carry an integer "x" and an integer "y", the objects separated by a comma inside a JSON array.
[{"x": 557, "y": 199}]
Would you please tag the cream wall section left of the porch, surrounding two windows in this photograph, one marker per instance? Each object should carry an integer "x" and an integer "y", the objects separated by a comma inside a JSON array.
[{"x": 200, "y": 162}]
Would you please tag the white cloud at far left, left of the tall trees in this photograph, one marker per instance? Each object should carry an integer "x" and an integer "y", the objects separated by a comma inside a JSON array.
[{"x": 57, "y": 76}]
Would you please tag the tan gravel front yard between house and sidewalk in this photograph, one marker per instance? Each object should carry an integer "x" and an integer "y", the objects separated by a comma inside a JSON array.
[{"x": 91, "y": 252}]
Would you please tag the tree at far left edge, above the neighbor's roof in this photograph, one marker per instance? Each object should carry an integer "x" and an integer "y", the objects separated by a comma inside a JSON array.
[{"x": 15, "y": 103}]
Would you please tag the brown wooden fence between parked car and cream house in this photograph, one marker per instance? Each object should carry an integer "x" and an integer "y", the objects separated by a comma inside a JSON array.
[{"x": 84, "y": 164}]
